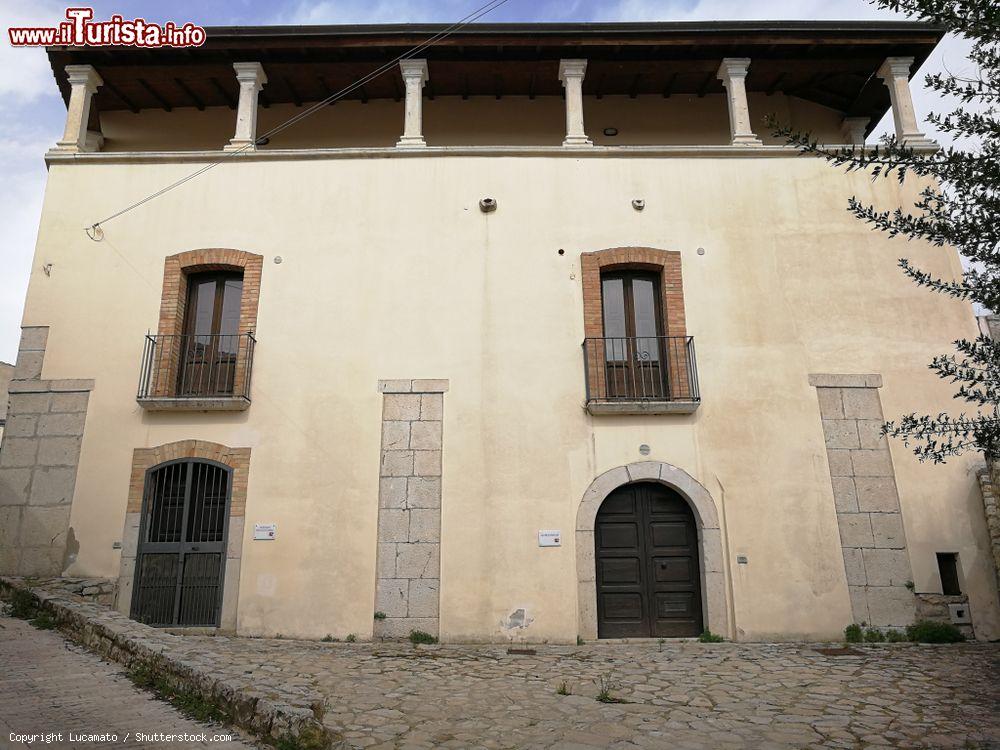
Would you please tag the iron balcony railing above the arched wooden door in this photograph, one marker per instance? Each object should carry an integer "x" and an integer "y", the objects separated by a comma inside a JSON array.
[{"x": 641, "y": 368}]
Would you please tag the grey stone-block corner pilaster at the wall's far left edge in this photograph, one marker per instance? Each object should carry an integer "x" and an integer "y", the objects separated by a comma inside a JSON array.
[{"x": 38, "y": 464}]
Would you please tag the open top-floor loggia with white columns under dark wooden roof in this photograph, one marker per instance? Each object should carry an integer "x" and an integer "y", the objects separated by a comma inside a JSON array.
[{"x": 504, "y": 87}]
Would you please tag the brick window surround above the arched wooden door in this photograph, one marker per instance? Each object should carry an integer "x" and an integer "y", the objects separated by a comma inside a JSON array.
[{"x": 666, "y": 263}]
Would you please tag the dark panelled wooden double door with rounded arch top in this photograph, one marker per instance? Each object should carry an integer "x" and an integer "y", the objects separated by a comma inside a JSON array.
[{"x": 648, "y": 573}]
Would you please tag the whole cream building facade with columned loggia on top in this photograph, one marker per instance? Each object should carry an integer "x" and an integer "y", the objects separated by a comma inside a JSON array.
[{"x": 538, "y": 336}]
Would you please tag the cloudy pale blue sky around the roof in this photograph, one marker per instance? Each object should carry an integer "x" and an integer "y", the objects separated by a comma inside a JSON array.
[{"x": 32, "y": 114}]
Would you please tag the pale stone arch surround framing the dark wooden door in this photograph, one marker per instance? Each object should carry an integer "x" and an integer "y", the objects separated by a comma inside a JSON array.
[{"x": 713, "y": 576}]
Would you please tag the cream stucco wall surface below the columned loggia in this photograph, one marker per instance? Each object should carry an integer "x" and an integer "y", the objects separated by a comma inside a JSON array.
[{"x": 391, "y": 271}]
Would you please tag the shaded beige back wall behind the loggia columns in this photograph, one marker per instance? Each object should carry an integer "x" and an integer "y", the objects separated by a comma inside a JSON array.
[{"x": 477, "y": 121}]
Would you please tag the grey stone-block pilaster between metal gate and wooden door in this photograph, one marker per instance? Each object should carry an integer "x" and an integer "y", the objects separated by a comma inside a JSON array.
[{"x": 408, "y": 567}]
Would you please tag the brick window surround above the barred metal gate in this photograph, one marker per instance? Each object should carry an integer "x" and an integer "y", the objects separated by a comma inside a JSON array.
[{"x": 177, "y": 269}]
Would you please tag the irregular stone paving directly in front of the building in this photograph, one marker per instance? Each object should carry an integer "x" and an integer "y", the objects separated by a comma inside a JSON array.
[{"x": 679, "y": 695}]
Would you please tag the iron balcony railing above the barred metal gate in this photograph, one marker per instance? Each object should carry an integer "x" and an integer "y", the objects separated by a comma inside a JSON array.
[{"x": 197, "y": 366}]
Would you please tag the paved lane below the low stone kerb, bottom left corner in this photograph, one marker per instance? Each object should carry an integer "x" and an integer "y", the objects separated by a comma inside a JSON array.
[{"x": 50, "y": 685}]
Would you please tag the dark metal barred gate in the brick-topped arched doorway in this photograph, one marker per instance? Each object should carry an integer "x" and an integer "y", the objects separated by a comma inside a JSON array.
[{"x": 182, "y": 544}]
